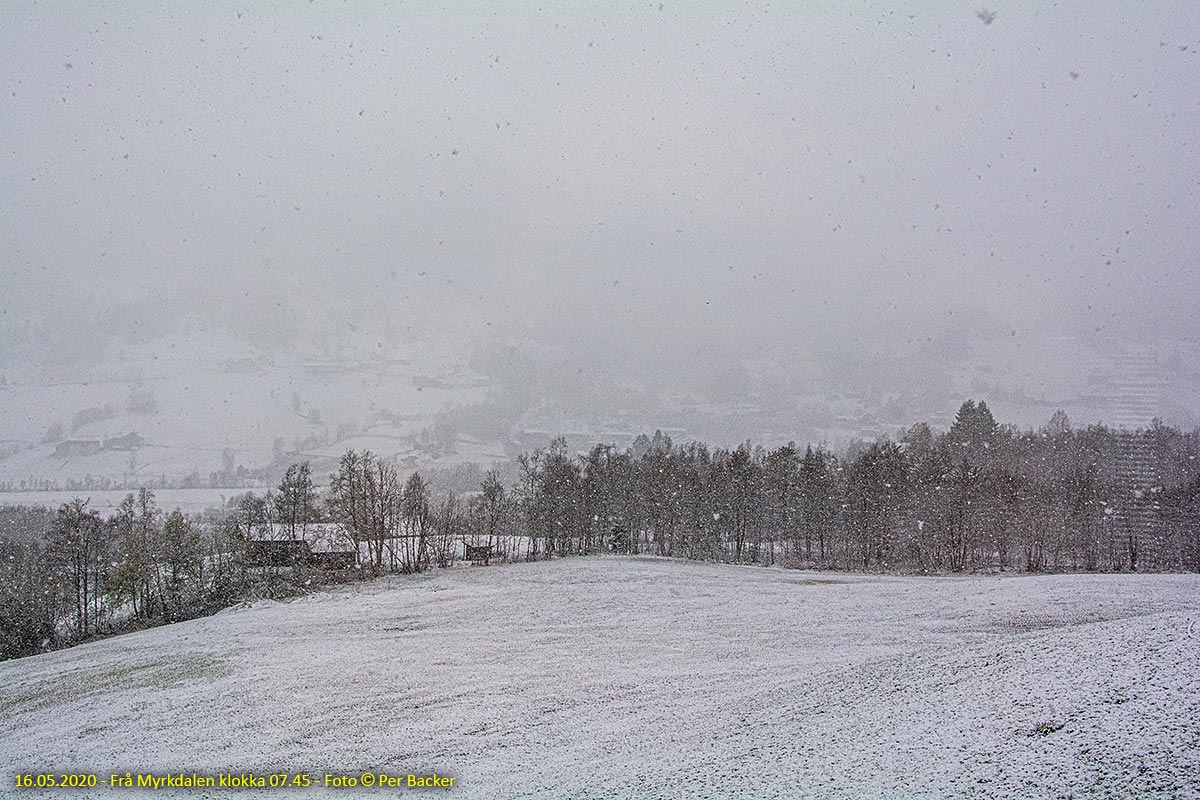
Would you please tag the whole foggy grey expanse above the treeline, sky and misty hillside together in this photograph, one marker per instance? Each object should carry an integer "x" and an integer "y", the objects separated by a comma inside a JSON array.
[{"x": 247, "y": 236}]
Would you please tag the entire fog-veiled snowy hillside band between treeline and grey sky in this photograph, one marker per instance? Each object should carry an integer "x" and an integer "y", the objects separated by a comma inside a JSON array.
[{"x": 206, "y": 411}]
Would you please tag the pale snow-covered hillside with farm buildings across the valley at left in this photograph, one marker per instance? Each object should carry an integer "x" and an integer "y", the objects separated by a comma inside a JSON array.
[{"x": 203, "y": 404}]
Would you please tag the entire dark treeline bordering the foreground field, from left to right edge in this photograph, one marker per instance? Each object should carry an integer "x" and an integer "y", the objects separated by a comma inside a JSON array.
[{"x": 980, "y": 497}]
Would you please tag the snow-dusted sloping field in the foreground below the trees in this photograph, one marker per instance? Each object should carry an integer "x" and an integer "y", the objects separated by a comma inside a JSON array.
[{"x": 647, "y": 678}]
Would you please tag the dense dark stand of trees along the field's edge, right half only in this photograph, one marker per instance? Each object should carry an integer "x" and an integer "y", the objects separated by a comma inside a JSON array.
[{"x": 979, "y": 497}]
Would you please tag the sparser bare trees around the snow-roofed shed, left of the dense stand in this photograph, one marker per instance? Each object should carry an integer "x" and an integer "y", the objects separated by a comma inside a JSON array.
[{"x": 73, "y": 575}]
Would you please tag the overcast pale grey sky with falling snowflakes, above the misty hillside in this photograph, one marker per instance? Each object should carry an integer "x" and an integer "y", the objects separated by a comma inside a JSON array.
[{"x": 653, "y": 183}]
